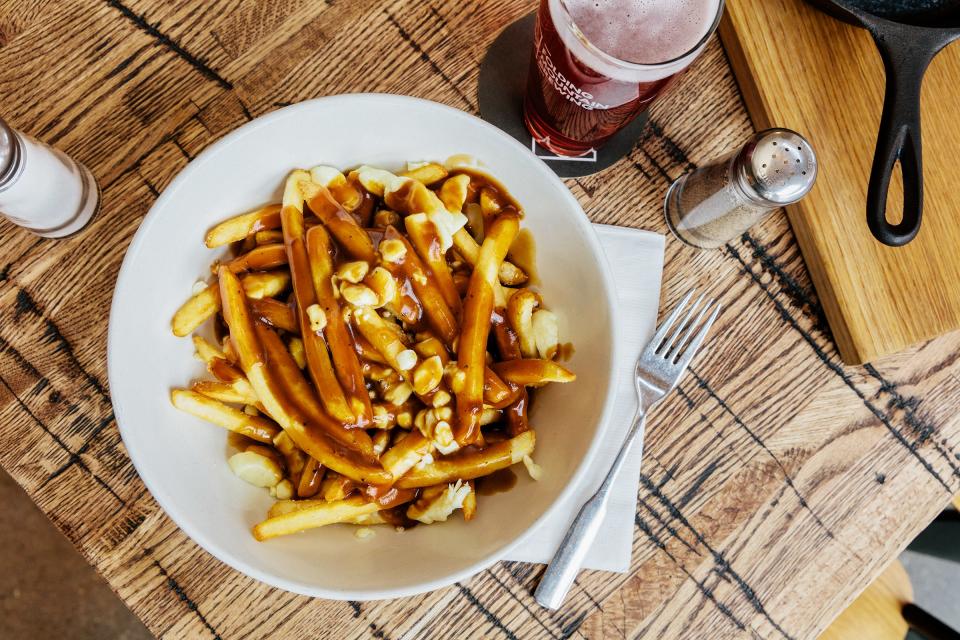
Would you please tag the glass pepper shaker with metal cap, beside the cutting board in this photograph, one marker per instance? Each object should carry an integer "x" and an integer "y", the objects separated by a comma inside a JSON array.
[{"x": 719, "y": 201}]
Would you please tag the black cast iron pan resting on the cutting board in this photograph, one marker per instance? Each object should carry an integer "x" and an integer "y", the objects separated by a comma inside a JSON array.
[{"x": 909, "y": 33}]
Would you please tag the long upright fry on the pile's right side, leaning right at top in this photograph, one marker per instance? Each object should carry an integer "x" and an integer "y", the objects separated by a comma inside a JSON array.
[{"x": 476, "y": 325}]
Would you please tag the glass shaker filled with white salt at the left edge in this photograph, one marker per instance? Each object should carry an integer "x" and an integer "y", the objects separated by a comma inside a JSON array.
[{"x": 43, "y": 189}]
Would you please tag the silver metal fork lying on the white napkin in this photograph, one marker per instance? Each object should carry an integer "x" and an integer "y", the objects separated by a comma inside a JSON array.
[{"x": 659, "y": 369}]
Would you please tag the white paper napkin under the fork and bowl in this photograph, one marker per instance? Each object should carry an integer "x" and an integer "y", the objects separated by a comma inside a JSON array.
[{"x": 636, "y": 258}]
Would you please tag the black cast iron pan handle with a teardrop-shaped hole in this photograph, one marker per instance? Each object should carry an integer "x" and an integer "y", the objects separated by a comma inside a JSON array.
[{"x": 899, "y": 138}]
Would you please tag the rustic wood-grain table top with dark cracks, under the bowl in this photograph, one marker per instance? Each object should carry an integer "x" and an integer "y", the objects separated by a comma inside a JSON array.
[{"x": 776, "y": 482}]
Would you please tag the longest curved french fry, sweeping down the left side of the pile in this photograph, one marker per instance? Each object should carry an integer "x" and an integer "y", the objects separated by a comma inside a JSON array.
[{"x": 268, "y": 390}]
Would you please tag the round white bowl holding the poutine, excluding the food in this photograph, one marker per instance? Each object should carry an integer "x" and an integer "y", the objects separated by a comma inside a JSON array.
[{"x": 182, "y": 460}]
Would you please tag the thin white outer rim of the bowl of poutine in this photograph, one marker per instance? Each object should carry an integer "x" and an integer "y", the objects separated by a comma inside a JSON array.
[{"x": 196, "y": 534}]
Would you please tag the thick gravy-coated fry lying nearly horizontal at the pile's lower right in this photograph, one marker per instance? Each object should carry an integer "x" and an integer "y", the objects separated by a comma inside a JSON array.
[{"x": 470, "y": 464}]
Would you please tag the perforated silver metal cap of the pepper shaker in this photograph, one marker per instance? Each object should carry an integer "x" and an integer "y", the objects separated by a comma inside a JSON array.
[{"x": 779, "y": 165}]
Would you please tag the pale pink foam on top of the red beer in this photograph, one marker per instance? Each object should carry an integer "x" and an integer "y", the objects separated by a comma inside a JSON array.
[{"x": 661, "y": 33}]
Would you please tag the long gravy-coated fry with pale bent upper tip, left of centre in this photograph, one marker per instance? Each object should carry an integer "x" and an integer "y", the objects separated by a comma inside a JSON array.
[{"x": 318, "y": 358}]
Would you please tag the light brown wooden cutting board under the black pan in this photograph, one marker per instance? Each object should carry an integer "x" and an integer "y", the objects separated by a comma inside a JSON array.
[{"x": 801, "y": 69}]
